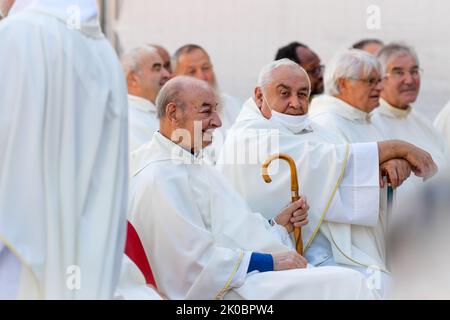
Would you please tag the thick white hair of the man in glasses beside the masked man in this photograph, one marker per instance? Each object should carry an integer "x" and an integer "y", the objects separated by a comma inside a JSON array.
[{"x": 350, "y": 64}]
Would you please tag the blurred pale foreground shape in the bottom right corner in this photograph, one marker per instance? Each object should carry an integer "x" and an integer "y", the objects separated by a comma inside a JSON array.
[{"x": 419, "y": 242}]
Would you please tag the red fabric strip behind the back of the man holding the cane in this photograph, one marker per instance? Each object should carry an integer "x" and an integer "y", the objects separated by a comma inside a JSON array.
[{"x": 135, "y": 251}]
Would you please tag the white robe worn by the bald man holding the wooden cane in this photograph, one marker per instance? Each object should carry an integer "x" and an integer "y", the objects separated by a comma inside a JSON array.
[{"x": 197, "y": 232}]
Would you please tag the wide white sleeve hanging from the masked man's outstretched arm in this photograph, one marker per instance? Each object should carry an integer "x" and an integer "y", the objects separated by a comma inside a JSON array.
[{"x": 358, "y": 197}]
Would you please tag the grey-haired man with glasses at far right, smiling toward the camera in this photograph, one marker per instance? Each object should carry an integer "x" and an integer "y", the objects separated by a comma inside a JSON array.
[{"x": 396, "y": 118}]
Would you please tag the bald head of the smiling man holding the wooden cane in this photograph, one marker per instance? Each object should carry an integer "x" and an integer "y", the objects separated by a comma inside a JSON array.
[{"x": 187, "y": 108}]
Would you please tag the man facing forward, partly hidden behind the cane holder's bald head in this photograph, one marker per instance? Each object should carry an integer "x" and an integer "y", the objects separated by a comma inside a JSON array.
[{"x": 193, "y": 60}]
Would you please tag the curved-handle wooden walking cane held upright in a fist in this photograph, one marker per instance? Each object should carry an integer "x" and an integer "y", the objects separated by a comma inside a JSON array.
[{"x": 294, "y": 190}]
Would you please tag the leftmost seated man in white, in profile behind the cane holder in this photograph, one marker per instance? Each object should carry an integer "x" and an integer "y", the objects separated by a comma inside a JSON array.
[{"x": 145, "y": 75}]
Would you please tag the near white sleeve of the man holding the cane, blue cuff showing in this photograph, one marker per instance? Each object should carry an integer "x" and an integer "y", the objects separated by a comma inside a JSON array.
[{"x": 184, "y": 257}]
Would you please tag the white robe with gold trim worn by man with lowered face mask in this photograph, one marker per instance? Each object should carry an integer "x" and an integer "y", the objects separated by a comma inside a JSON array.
[{"x": 340, "y": 182}]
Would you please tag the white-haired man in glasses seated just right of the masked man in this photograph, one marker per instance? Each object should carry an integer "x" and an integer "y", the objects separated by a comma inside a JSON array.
[{"x": 353, "y": 84}]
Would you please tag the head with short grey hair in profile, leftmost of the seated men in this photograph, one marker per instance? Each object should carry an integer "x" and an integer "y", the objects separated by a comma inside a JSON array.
[{"x": 144, "y": 72}]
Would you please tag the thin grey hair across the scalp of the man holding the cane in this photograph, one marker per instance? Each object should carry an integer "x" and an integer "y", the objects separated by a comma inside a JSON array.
[{"x": 173, "y": 92}]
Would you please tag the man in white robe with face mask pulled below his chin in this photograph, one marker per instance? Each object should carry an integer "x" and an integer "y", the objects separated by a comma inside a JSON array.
[{"x": 340, "y": 181}]
